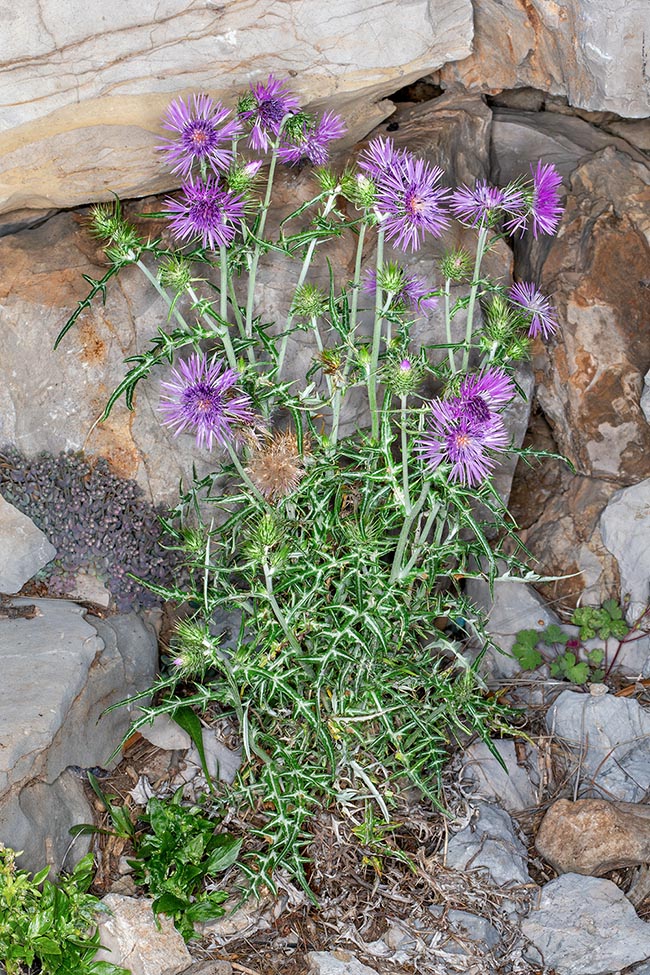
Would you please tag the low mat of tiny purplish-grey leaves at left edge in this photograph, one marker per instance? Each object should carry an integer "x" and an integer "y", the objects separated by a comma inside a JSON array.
[{"x": 96, "y": 520}]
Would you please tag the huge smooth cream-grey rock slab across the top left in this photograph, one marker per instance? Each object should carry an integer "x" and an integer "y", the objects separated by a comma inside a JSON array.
[{"x": 75, "y": 136}]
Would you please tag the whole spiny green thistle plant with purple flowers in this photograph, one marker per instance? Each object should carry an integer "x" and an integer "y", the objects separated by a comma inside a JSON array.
[{"x": 344, "y": 555}]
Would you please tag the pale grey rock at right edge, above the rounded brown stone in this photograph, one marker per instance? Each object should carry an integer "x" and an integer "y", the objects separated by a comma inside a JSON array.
[{"x": 611, "y": 736}]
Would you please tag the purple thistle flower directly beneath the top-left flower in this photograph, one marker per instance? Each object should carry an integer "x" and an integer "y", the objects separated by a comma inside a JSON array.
[{"x": 206, "y": 211}]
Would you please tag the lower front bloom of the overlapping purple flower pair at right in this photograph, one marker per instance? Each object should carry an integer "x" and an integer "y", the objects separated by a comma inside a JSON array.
[{"x": 462, "y": 443}]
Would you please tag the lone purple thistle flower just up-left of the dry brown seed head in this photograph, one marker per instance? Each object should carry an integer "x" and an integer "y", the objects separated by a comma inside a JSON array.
[{"x": 202, "y": 397}]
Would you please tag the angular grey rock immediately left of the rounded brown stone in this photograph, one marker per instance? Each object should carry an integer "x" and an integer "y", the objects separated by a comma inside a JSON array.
[{"x": 492, "y": 845}]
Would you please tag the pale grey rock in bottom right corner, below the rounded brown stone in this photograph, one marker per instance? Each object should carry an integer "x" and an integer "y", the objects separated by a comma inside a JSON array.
[{"x": 586, "y": 926}]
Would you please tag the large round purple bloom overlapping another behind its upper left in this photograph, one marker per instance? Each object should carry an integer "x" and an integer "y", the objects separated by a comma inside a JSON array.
[{"x": 411, "y": 202}]
